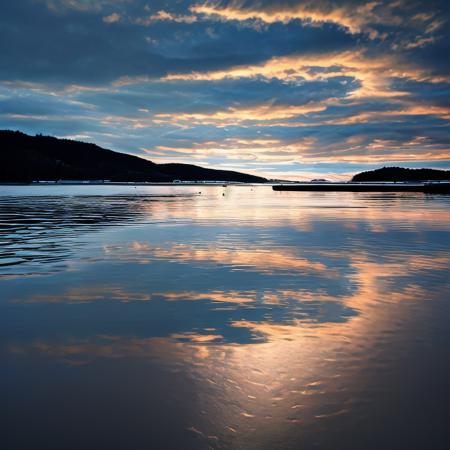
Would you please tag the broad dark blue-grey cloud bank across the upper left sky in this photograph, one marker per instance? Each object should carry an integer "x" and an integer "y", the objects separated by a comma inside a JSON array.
[{"x": 63, "y": 44}]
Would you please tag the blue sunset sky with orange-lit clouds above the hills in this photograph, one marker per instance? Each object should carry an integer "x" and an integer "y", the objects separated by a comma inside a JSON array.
[{"x": 285, "y": 89}]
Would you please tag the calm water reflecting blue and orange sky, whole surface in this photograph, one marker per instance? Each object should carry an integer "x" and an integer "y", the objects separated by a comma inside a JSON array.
[{"x": 235, "y": 318}]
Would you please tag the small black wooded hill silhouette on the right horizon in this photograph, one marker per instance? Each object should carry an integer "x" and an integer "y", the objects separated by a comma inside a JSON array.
[{"x": 402, "y": 174}]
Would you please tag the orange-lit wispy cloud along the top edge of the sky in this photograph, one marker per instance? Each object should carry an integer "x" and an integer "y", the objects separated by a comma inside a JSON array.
[{"x": 373, "y": 18}]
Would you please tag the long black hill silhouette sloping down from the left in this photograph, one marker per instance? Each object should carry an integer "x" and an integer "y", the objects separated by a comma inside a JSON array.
[{"x": 25, "y": 158}]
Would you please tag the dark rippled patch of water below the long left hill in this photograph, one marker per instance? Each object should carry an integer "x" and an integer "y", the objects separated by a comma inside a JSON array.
[{"x": 47, "y": 229}]
